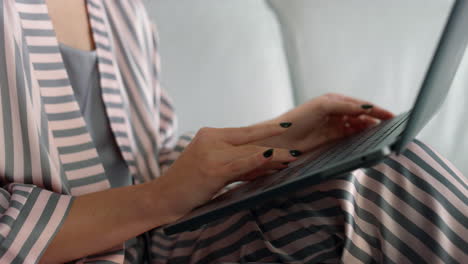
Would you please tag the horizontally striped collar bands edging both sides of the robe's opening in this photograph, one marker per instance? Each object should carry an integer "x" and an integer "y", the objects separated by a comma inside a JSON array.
[{"x": 61, "y": 107}]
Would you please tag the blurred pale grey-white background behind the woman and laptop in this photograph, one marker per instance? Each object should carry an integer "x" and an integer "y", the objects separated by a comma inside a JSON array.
[{"x": 233, "y": 63}]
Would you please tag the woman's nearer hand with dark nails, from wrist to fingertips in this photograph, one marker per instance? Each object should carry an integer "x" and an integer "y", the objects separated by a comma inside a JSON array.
[{"x": 215, "y": 158}]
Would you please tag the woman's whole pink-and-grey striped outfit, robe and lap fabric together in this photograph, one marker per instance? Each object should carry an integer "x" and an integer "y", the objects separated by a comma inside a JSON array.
[{"x": 408, "y": 209}]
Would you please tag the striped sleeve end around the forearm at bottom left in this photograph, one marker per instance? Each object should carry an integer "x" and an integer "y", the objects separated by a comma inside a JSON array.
[{"x": 29, "y": 219}]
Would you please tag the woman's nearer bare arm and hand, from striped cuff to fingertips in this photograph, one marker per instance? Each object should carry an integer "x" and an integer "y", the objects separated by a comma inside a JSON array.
[{"x": 101, "y": 221}]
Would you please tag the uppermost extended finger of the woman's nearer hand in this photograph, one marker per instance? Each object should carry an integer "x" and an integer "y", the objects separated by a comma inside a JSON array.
[{"x": 249, "y": 134}]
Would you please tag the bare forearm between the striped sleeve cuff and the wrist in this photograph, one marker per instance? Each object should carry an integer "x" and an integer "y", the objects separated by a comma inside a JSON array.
[{"x": 103, "y": 220}]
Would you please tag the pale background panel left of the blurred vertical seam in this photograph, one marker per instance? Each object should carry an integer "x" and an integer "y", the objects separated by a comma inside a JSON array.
[{"x": 222, "y": 61}]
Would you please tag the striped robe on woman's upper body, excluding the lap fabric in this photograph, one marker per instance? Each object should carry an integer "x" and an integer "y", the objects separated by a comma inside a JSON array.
[{"x": 46, "y": 153}]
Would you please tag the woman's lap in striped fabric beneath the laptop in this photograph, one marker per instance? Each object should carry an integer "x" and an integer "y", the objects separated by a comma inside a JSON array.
[{"x": 409, "y": 208}]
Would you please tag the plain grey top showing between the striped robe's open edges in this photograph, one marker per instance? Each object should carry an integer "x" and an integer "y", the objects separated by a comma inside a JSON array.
[{"x": 83, "y": 72}]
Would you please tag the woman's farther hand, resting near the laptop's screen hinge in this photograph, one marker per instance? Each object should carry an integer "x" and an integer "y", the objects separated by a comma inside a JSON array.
[{"x": 323, "y": 120}]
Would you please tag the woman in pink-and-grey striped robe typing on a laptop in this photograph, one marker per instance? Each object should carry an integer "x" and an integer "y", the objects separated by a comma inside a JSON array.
[{"x": 90, "y": 166}]
